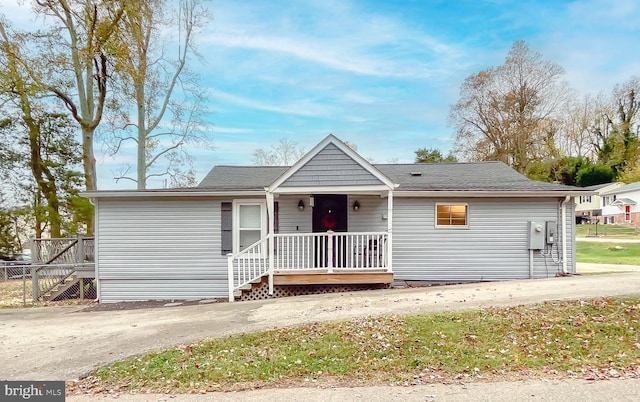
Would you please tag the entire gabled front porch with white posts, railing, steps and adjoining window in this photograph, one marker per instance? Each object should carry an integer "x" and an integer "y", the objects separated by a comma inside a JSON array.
[{"x": 319, "y": 225}]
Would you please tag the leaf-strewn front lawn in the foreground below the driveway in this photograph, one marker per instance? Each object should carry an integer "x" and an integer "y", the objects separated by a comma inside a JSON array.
[{"x": 593, "y": 339}]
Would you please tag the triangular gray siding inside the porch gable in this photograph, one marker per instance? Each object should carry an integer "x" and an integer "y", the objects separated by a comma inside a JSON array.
[{"x": 343, "y": 171}]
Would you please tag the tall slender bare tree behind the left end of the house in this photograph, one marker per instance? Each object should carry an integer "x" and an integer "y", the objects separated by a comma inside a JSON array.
[{"x": 165, "y": 98}]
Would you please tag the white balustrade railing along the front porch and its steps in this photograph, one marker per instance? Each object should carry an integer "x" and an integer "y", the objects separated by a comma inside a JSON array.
[{"x": 329, "y": 252}]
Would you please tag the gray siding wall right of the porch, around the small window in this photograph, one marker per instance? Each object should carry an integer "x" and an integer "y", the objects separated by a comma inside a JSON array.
[{"x": 493, "y": 247}]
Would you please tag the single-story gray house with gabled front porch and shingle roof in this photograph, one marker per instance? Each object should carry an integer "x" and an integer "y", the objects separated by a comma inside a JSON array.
[{"x": 331, "y": 219}]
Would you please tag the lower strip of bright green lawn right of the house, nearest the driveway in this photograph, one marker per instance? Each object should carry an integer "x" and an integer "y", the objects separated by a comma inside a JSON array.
[{"x": 608, "y": 253}]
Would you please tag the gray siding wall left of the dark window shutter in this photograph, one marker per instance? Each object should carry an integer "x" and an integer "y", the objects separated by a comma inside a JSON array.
[{"x": 160, "y": 249}]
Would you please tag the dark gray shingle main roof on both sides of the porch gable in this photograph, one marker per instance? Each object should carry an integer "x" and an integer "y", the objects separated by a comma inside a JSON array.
[{"x": 480, "y": 176}]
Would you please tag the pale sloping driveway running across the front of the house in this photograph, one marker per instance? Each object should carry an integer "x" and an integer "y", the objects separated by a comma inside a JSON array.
[{"x": 63, "y": 343}]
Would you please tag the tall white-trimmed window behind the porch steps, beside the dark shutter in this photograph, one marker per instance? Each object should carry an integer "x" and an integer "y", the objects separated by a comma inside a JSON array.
[{"x": 250, "y": 223}]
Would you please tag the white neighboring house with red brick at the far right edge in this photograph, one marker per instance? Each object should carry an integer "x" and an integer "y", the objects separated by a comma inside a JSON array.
[{"x": 620, "y": 205}]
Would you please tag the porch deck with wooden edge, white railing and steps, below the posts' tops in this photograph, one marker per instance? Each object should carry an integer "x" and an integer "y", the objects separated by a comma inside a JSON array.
[{"x": 330, "y": 258}]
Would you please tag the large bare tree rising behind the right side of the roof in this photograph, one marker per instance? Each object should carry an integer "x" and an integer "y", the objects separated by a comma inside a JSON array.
[{"x": 509, "y": 113}]
